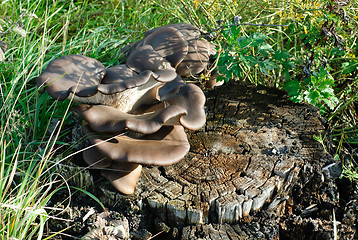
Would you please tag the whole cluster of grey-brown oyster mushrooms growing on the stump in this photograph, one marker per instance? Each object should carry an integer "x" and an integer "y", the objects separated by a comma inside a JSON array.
[{"x": 135, "y": 113}]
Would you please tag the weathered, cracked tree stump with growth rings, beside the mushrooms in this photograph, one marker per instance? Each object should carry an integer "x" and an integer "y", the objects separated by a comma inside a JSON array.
[{"x": 246, "y": 158}]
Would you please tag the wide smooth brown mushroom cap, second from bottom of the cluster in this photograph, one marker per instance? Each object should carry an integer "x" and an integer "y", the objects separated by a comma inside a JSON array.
[{"x": 164, "y": 147}]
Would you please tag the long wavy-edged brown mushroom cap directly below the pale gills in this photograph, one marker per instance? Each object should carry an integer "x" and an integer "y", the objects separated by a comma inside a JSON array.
[{"x": 105, "y": 119}]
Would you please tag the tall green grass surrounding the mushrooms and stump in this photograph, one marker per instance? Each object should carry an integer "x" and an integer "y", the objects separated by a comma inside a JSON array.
[{"x": 32, "y": 33}]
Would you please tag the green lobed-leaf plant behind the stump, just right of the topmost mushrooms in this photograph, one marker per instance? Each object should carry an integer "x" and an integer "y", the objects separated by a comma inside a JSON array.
[{"x": 243, "y": 55}]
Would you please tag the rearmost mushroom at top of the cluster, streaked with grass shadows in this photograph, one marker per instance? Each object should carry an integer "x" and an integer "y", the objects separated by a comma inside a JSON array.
[{"x": 181, "y": 45}]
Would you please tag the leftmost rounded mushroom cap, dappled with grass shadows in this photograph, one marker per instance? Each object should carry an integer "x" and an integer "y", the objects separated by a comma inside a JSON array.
[{"x": 73, "y": 73}]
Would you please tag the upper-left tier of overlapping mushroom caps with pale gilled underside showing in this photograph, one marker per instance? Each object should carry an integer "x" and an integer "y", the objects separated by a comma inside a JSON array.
[{"x": 90, "y": 82}]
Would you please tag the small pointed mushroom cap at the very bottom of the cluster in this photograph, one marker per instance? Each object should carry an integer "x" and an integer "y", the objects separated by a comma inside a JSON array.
[{"x": 123, "y": 176}]
